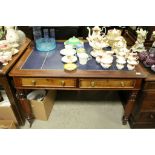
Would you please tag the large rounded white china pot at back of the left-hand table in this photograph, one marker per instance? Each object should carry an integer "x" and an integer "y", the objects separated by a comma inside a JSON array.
[{"x": 11, "y": 34}]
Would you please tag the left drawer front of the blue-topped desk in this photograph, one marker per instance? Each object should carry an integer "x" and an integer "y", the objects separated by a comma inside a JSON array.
[{"x": 48, "y": 82}]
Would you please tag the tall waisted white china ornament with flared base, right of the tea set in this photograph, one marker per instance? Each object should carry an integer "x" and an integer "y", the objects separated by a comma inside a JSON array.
[{"x": 139, "y": 44}]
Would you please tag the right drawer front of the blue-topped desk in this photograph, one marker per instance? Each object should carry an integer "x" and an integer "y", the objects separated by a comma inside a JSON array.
[{"x": 106, "y": 83}]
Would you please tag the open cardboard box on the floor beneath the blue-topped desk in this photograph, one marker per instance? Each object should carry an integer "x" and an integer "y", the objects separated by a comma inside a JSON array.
[{"x": 42, "y": 109}]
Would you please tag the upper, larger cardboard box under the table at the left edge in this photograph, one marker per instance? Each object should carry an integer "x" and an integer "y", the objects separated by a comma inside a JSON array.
[{"x": 6, "y": 112}]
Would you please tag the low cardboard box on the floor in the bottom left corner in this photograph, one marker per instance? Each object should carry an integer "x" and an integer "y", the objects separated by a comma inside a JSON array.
[{"x": 7, "y": 124}]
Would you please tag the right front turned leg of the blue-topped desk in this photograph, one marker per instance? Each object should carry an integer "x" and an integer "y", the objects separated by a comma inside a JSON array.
[{"x": 129, "y": 106}]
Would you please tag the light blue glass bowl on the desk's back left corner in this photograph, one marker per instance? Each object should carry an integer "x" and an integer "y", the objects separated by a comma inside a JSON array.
[{"x": 45, "y": 44}]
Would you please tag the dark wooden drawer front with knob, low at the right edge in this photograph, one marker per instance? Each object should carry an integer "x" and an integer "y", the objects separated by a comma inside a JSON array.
[{"x": 147, "y": 117}]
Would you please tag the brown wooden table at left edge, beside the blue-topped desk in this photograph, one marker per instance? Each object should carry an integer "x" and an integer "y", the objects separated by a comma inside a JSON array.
[{"x": 5, "y": 81}]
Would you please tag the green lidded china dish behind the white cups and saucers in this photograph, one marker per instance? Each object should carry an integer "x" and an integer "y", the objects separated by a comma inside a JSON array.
[{"x": 75, "y": 42}]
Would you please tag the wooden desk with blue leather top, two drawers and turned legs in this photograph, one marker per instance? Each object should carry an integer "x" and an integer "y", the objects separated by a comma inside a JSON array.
[{"x": 44, "y": 70}]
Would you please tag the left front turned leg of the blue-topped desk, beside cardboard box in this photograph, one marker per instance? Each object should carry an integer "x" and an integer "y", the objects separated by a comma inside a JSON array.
[{"x": 26, "y": 106}]
